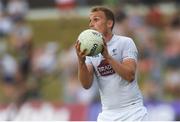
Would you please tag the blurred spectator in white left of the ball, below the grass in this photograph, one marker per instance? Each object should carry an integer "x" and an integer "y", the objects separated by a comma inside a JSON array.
[{"x": 44, "y": 59}]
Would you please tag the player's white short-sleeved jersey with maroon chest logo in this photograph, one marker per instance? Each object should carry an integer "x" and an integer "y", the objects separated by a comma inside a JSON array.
[{"x": 116, "y": 92}]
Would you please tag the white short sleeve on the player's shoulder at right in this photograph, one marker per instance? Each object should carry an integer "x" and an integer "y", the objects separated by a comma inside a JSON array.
[{"x": 130, "y": 50}]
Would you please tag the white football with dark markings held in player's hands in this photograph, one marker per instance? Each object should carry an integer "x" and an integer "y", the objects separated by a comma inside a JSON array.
[{"x": 92, "y": 41}]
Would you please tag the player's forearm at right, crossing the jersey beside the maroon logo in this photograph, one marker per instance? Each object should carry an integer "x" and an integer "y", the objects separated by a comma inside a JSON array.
[{"x": 123, "y": 70}]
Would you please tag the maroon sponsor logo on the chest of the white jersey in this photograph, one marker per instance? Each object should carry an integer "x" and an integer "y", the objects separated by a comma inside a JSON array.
[{"x": 105, "y": 69}]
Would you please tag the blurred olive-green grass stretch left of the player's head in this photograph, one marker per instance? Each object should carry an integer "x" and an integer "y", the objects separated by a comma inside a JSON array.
[{"x": 63, "y": 31}]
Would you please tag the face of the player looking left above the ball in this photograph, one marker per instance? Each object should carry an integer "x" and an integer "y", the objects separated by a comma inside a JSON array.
[{"x": 98, "y": 22}]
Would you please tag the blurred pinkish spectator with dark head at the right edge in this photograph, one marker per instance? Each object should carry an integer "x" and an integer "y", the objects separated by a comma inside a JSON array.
[{"x": 172, "y": 44}]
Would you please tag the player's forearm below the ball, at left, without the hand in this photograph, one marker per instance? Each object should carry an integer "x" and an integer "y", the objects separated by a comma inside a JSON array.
[{"x": 84, "y": 75}]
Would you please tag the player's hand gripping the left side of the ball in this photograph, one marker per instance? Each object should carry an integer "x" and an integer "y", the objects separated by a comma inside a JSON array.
[{"x": 81, "y": 55}]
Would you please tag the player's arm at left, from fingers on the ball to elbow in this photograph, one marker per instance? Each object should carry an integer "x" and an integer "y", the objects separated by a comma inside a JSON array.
[{"x": 85, "y": 72}]
